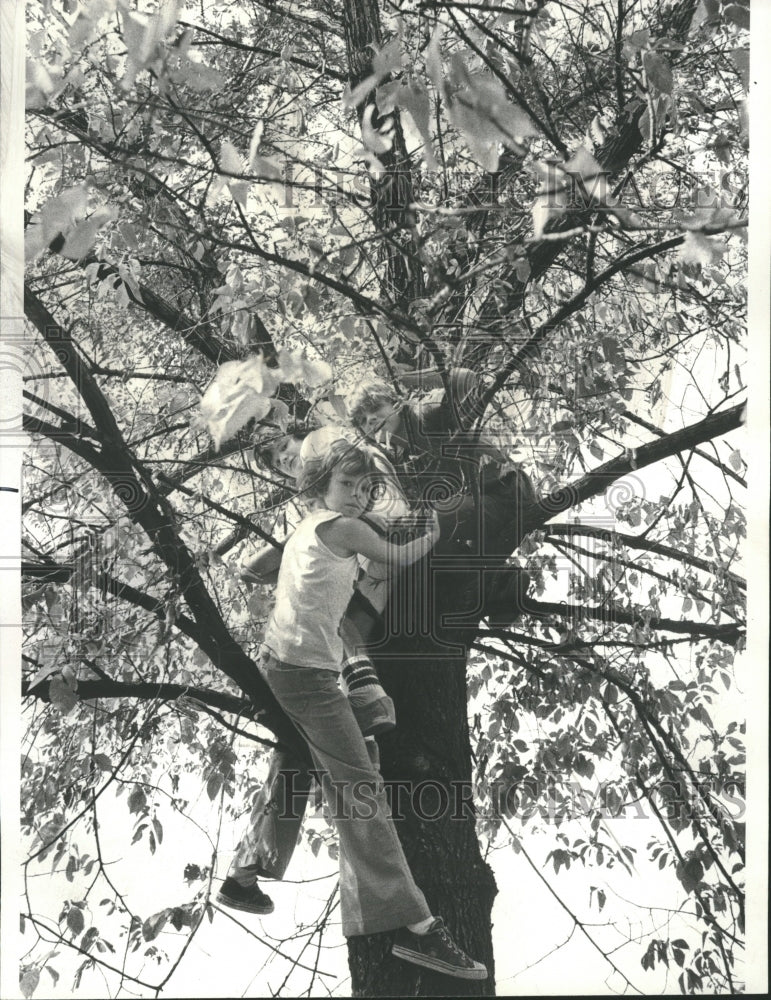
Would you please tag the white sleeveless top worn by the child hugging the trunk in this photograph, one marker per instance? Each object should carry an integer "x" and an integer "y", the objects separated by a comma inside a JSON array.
[{"x": 313, "y": 591}]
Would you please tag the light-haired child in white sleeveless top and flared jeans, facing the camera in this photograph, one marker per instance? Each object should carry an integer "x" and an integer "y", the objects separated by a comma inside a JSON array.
[{"x": 301, "y": 661}]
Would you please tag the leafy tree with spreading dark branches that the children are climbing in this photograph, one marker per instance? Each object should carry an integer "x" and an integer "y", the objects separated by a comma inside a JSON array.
[{"x": 555, "y": 198}]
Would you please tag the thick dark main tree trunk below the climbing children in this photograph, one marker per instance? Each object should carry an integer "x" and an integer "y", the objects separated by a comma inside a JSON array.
[{"x": 426, "y": 762}]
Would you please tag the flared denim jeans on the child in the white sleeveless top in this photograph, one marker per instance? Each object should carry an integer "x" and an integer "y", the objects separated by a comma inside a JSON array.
[{"x": 377, "y": 890}]
